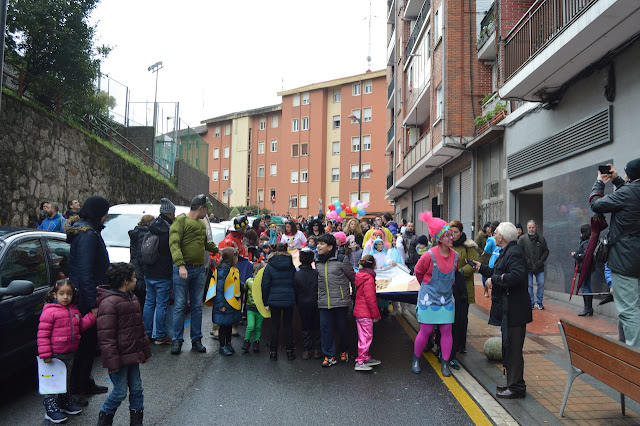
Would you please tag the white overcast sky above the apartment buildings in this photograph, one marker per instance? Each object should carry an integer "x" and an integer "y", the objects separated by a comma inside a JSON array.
[{"x": 226, "y": 56}]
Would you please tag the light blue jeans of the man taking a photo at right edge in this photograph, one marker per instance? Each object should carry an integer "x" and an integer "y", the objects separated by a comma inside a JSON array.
[{"x": 626, "y": 295}]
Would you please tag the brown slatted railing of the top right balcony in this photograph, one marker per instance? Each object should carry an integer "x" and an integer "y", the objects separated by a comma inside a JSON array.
[{"x": 542, "y": 22}]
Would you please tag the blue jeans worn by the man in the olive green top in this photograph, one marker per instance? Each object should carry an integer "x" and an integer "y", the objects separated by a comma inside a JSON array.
[{"x": 194, "y": 287}]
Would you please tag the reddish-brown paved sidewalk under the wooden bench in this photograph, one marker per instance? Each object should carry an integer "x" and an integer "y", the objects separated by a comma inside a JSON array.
[{"x": 590, "y": 402}]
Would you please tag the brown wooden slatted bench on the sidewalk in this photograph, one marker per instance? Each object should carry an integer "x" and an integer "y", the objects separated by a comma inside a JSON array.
[{"x": 613, "y": 363}]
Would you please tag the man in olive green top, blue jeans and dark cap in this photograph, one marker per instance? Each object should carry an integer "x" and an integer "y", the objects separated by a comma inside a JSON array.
[{"x": 187, "y": 242}]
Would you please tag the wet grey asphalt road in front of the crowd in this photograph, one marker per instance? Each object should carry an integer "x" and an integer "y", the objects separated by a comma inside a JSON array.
[{"x": 199, "y": 389}]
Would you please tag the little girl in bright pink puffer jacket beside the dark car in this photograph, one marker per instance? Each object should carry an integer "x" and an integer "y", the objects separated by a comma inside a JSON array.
[{"x": 59, "y": 337}]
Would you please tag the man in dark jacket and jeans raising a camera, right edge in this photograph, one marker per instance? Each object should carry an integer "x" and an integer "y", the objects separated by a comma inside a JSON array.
[{"x": 624, "y": 241}]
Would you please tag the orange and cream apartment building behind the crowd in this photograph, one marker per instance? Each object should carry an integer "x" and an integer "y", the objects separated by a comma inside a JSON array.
[{"x": 299, "y": 155}]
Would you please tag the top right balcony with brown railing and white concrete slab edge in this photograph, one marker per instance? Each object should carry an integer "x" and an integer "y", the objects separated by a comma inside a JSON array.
[{"x": 557, "y": 39}]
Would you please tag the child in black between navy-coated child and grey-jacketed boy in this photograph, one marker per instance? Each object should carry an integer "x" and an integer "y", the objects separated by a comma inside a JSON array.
[{"x": 306, "y": 287}]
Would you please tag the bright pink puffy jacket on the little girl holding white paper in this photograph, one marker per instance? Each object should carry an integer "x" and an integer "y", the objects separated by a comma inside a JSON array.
[{"x": 59, "y": 329}]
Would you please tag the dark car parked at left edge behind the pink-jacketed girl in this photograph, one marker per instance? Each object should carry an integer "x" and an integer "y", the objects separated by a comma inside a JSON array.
[{"x": 31, "y": 261}]
